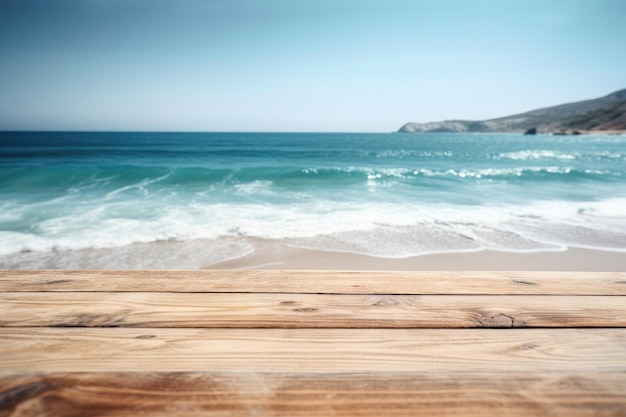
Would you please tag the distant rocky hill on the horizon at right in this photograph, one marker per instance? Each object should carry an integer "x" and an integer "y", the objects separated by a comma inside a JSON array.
[{"x": 605, "y": 113}]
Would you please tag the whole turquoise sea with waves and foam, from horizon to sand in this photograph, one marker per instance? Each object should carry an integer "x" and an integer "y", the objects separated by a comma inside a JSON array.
[{"x": 120, "y": 200}]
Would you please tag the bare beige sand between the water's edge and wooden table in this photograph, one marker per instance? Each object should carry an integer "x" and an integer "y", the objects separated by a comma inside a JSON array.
[{"x": 272, "y": 255}]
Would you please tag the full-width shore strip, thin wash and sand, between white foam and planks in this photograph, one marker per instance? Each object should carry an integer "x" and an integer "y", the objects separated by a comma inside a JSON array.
[{"x": 261, "y": 254}]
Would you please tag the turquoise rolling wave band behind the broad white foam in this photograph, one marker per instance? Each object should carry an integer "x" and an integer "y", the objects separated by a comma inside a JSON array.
[{"x": 131, "y": 182}]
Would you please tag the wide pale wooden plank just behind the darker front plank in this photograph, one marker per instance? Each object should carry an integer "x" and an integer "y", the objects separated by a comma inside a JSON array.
[{"x": 426, "y": 351}]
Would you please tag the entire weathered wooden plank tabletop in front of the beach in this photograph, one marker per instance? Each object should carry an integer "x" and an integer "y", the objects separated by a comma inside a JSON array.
[{"x": 267, "y": 343}]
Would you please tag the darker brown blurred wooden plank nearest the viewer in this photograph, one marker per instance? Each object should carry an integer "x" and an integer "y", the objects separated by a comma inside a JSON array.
[{"x": 523, "y": 394}]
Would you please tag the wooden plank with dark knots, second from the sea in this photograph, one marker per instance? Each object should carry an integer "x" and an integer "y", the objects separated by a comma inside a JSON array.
[{"x": 137, "y": 309}]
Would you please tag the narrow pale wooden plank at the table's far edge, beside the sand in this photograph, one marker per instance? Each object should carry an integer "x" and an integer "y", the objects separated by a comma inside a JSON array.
[{"x": 345, "y": 282}]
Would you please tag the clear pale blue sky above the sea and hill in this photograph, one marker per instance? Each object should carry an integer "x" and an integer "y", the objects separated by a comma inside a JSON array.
[{"x": 299, "y": 65}]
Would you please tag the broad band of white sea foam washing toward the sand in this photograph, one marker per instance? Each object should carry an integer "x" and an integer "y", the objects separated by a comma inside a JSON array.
[{"x": 381, "y": 229}]
